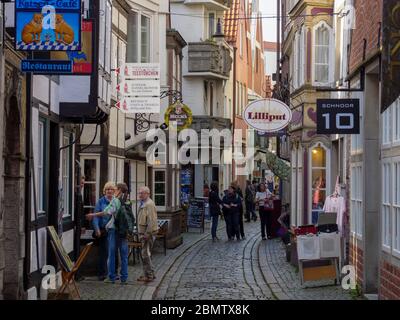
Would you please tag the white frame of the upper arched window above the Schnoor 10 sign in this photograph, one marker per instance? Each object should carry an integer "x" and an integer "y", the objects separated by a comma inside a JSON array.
[{"x": 331, "y": 51}]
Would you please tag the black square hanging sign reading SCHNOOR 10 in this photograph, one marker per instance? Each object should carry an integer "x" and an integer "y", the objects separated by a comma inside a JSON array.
[{"x": 338, "y": 116}]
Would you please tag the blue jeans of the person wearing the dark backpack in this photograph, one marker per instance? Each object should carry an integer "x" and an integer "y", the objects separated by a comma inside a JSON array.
[{"x": 115, "y": 242}]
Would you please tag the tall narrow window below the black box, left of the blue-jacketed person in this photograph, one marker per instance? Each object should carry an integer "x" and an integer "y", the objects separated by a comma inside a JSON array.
[{"x": 66, "y": 171}]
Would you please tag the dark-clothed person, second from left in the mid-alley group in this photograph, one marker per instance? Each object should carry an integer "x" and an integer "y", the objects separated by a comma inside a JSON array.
[{"x": 231, "y": 207}]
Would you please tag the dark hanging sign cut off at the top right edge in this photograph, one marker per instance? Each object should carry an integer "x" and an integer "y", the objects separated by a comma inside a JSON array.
[{"x": 390, "y": 53}]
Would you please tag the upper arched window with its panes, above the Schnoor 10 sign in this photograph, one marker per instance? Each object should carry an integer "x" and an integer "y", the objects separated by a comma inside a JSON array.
[{"x": 322, "y": 54}]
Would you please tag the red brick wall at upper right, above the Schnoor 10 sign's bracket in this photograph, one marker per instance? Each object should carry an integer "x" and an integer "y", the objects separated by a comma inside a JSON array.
[{"x": 368, "y": 18}]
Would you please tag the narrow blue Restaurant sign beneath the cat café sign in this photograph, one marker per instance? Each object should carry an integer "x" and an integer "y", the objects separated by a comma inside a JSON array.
[{"x": 46, "y": 66}]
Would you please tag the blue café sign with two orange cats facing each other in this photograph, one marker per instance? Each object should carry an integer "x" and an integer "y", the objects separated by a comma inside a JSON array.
[{"x": 48, "y": 25}]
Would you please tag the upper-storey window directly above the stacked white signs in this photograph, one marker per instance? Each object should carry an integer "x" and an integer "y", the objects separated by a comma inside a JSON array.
[{"x": 139, "y": 39}]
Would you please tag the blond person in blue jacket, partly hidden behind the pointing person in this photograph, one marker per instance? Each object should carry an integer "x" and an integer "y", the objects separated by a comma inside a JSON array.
[{"x": 99, "y": 226}]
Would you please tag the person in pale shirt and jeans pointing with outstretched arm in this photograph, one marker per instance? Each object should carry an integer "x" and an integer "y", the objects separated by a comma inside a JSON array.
[{"x": 114, "y": 241}]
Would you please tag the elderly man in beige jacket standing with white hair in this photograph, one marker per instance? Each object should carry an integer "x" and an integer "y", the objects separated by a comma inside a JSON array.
[{"x": 147, "y": 228}]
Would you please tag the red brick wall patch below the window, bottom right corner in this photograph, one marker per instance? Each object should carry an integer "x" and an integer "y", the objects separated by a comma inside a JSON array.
[{"x": 389, "y": 282}]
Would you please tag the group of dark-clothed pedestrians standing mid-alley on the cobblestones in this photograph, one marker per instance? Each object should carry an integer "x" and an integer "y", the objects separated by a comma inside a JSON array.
[{"x": 233, "y": 204}]
